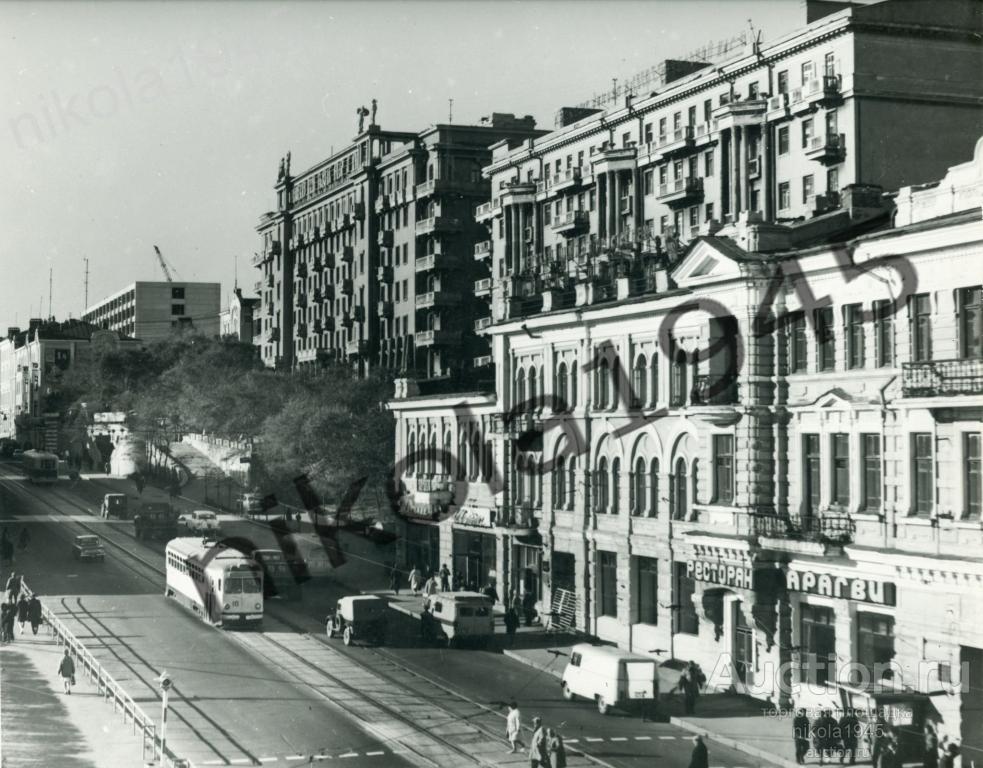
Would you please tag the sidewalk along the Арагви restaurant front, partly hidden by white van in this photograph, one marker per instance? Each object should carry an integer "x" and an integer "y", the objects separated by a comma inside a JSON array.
[{"x": 739, "y": 722}]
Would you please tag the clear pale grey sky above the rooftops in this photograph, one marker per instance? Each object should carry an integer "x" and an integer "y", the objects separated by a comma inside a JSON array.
[{"x": 125, "y": 125}]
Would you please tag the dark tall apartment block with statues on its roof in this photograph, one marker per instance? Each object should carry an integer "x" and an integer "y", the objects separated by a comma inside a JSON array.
[{"x": 368, "y": 257}]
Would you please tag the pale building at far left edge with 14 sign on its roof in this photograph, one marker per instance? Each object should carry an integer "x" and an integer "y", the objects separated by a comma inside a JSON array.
[{"x": 31, "y": 361}]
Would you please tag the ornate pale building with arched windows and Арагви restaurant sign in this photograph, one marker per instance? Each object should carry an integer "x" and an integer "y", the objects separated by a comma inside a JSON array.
[{"x": 768, "y": 462}]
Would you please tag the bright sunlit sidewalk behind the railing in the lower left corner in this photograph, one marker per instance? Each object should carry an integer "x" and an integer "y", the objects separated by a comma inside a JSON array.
[{"x": 41, "y": 726}]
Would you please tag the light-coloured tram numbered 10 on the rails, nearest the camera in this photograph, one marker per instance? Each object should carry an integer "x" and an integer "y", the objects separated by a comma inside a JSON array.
[{"x": 218, "y": 584}]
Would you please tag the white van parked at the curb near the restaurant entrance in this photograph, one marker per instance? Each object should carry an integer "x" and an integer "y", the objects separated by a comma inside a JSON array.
[{"x": 611, "y": 677}]
